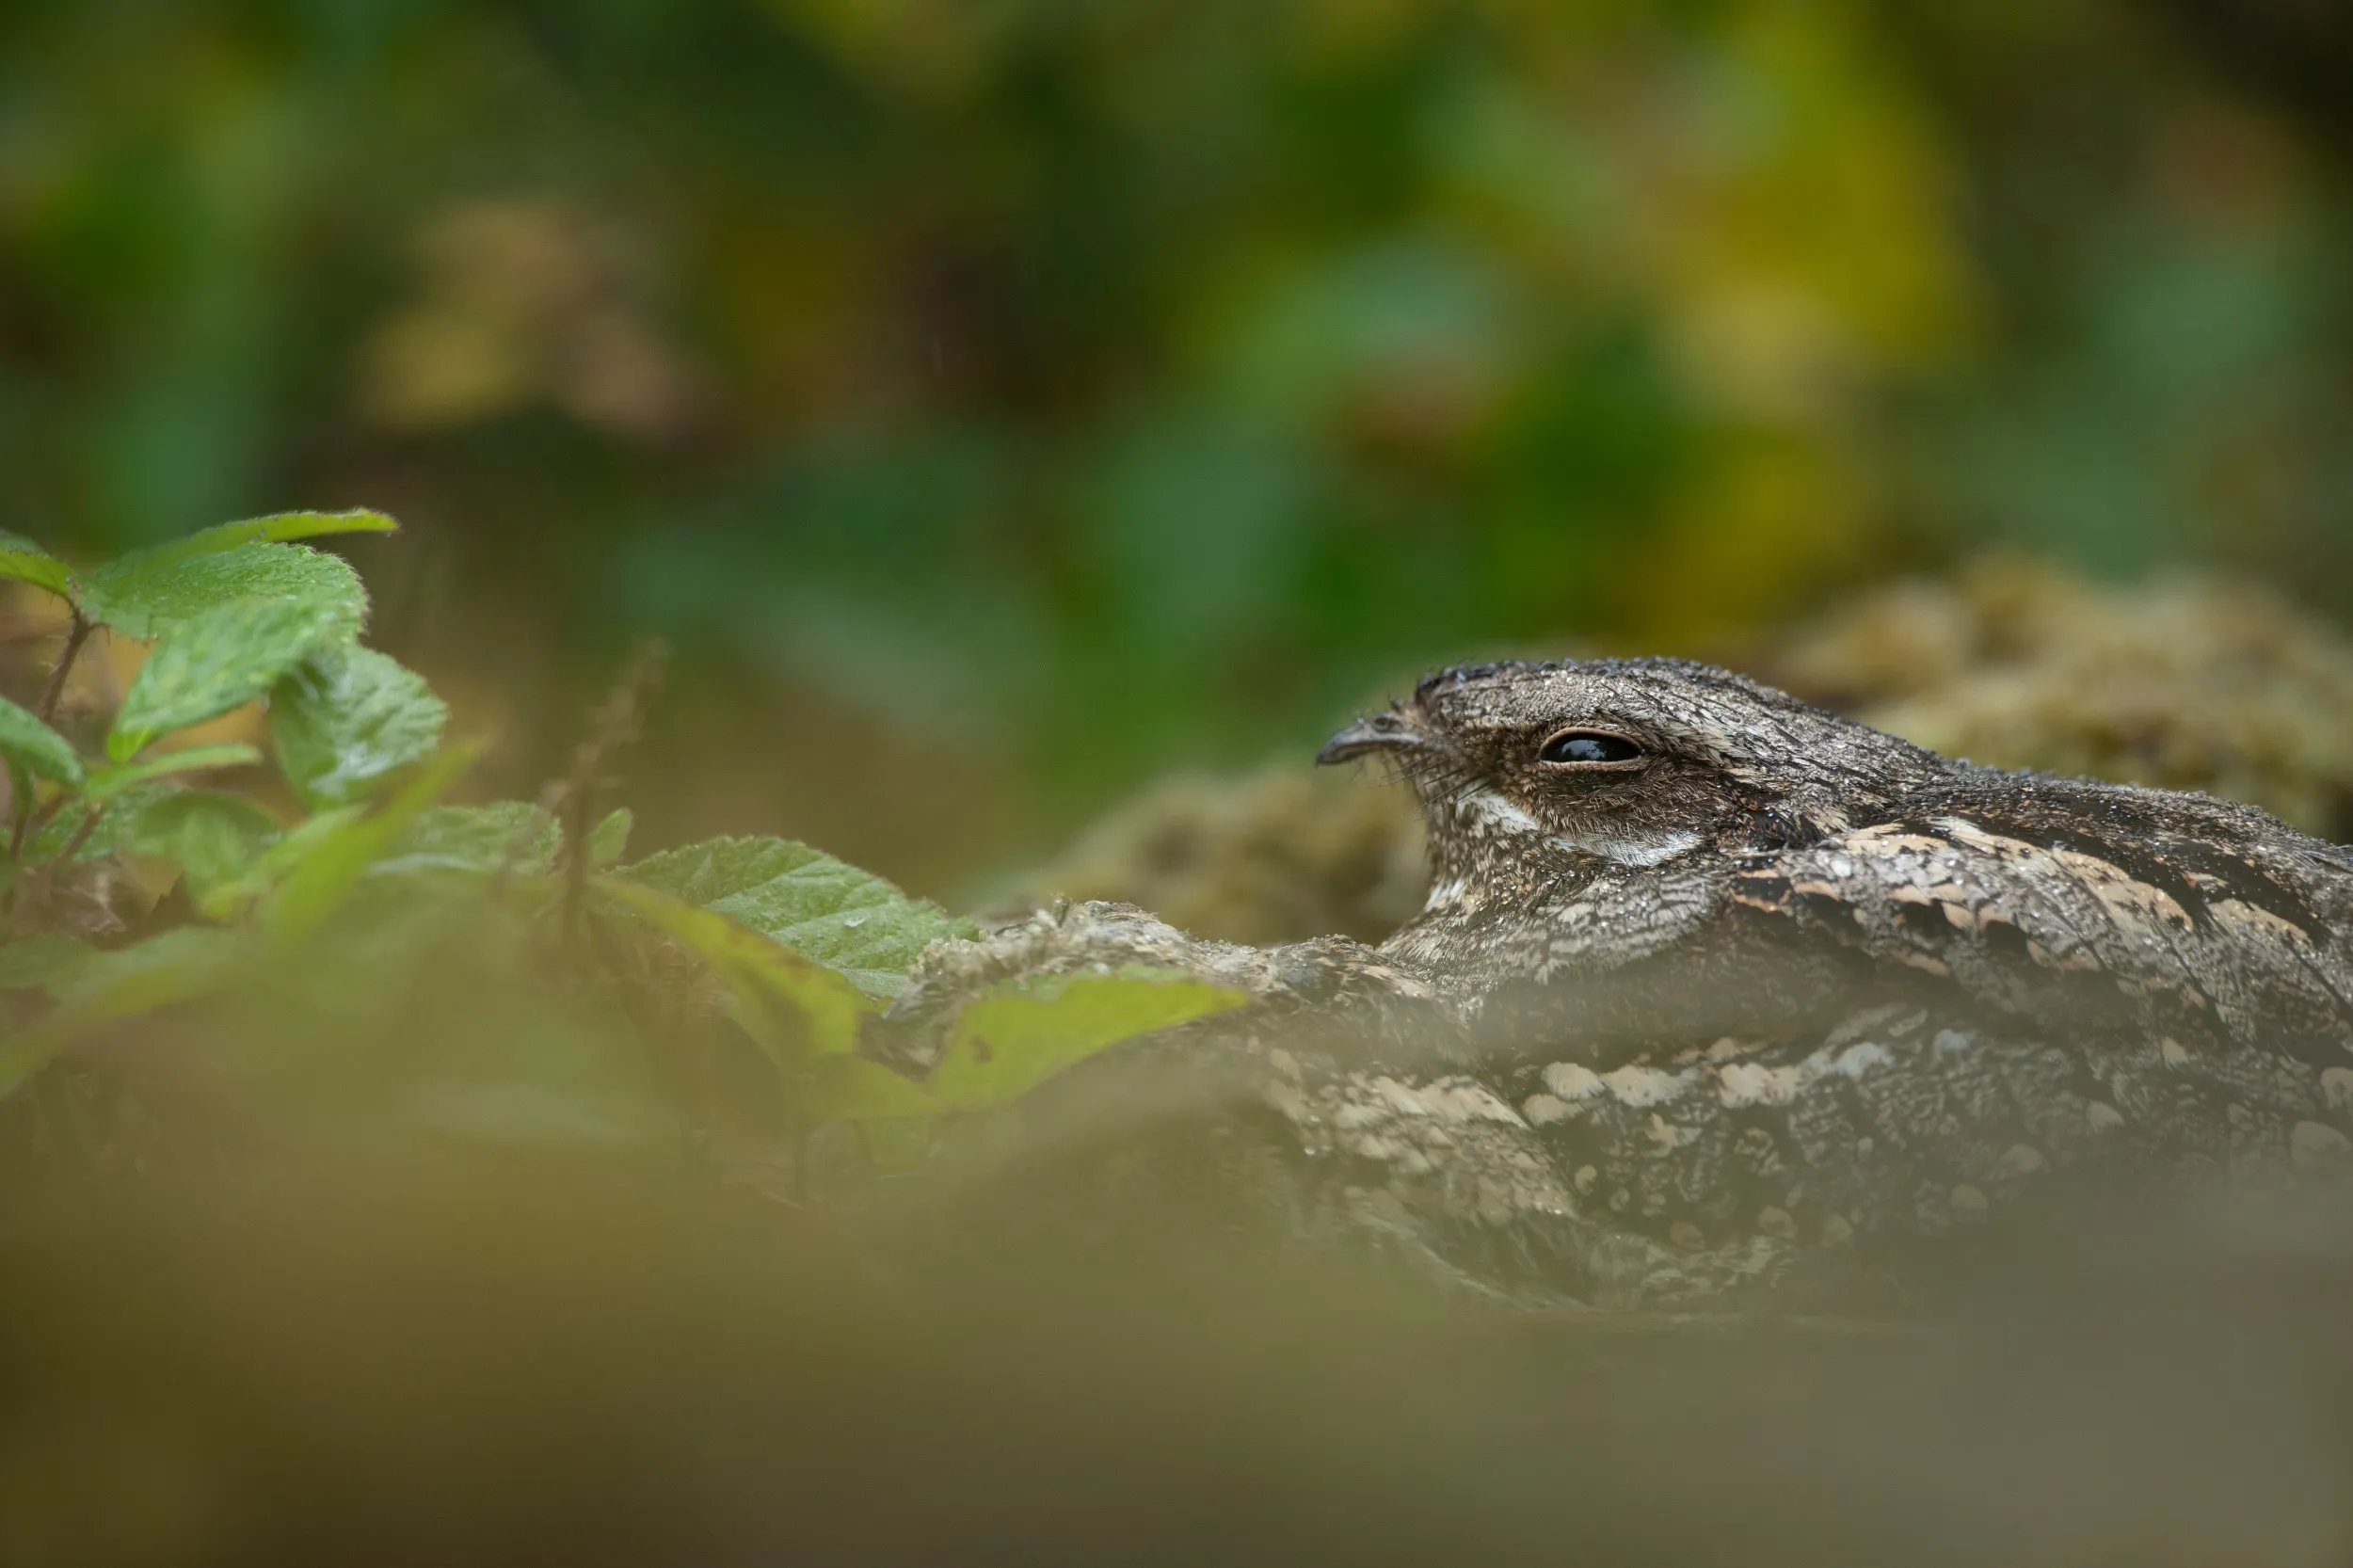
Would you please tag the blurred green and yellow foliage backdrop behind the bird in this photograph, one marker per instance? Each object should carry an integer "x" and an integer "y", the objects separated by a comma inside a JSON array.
[{"x": 1001, "y": 404}]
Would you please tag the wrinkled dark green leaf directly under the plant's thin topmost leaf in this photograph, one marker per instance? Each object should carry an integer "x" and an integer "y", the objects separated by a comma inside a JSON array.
[{"x": 152, "y": 592}]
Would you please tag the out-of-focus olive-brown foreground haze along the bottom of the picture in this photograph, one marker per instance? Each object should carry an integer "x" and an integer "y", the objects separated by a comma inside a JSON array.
[{"x": 462, "y": 1362}]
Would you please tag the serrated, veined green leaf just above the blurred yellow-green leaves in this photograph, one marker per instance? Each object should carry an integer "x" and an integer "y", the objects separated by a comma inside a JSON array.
[{"x": 806, "y": 901}]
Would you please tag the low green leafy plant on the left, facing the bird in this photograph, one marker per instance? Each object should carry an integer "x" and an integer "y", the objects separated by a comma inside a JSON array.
[{"x": 295, "y": 934}]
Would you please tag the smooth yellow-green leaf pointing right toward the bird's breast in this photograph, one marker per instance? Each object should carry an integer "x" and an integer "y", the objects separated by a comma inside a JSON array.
[{"x": 1020, "y": 1035}]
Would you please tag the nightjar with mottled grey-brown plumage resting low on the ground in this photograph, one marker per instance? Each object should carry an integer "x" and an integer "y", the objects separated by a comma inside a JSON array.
[{"x": 1717, "y": 992}]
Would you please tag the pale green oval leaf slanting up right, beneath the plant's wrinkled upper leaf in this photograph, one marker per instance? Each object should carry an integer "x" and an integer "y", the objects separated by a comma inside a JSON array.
[{"x": 215, "y": 663}]
